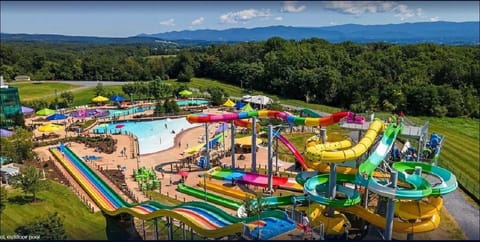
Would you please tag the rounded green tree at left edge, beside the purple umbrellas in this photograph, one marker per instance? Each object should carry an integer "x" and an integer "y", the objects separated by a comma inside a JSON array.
[{"x": 19, "y": 146}]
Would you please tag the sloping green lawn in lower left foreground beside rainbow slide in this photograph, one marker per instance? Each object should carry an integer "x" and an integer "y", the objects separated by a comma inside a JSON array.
[{"x": 80, "y": 224}]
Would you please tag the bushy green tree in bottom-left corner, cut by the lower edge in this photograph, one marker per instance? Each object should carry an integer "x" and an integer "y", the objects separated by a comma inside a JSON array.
[{"x": 50, "y": 227}]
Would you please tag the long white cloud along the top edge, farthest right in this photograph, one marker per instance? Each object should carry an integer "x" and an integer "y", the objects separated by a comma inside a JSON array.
[{"x": 401, "y": 11}]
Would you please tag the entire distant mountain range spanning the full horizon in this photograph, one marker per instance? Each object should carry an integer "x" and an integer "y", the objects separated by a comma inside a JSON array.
[{"x": 450, "y": 33}]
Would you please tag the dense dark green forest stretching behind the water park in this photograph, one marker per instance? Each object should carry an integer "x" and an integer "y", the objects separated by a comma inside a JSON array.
[{"x": 421, "y": 79}]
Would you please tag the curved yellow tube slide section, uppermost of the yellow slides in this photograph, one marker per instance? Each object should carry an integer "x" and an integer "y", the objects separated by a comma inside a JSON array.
[{"x": 322, "y": 155}]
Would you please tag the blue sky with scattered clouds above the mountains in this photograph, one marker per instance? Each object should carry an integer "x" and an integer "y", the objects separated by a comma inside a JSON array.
[{"x": 130, "y": 18}]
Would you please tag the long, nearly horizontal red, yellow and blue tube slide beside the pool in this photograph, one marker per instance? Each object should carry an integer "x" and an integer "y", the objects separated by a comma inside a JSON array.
[{"x": 291, "y": 119}]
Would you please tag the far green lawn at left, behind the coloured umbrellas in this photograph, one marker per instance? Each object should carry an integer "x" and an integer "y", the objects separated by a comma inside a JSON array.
[{"x": 34, "y": 90}]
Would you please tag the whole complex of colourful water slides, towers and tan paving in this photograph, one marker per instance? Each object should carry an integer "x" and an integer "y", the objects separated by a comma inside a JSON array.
[{"x": 343, "y": 185}]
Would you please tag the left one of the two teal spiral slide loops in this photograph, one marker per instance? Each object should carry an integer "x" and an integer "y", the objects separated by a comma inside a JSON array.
[{"x": 317, "y": 188}]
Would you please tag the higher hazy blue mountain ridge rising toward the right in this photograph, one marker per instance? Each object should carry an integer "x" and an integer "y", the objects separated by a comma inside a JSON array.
[{"x": 437, "y": 32}]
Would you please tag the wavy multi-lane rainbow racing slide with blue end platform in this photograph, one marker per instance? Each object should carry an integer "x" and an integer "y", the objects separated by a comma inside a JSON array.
[{"x": 205, "y": 219}]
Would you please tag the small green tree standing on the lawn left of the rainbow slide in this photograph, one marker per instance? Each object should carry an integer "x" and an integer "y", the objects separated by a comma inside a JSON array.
[{"x": 29, "y": 180}]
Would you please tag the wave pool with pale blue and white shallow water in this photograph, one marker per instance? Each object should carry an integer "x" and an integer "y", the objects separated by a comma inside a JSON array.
[{"x": 153, "y": 136}]
